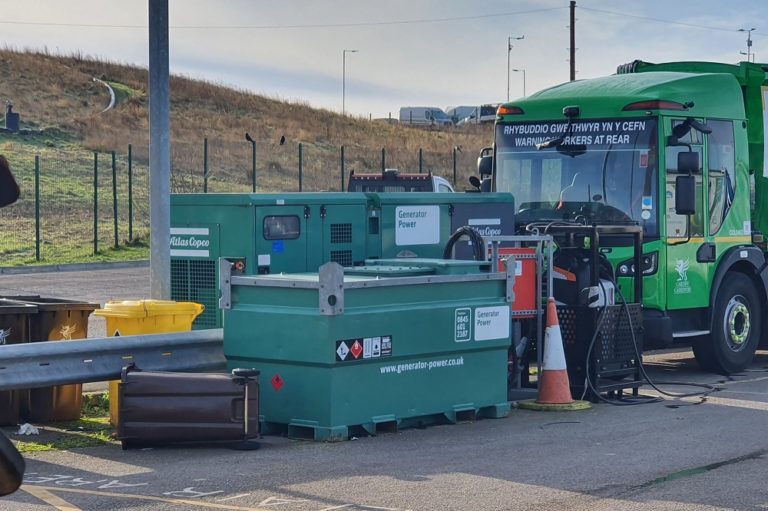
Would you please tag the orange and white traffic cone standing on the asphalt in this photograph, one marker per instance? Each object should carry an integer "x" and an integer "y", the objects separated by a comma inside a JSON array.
[{"x": 554, "y": 387}]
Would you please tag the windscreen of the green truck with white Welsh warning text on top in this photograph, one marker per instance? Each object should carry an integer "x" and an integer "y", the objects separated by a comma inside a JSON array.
[{"x": 593, "y": 171}]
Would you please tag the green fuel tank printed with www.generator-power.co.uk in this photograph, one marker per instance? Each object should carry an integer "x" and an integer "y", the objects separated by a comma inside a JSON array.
[{"x": 386, "y": 345}]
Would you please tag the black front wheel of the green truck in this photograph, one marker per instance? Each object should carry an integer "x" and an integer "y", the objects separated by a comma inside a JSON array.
[{"x": 735, "y": 330}]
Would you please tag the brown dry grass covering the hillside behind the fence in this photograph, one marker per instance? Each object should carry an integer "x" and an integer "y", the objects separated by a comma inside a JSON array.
[{"x": 57, "y": 93}]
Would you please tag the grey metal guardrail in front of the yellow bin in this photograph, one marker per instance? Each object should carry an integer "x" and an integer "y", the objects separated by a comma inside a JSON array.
[{"x": 41, "y": 364}]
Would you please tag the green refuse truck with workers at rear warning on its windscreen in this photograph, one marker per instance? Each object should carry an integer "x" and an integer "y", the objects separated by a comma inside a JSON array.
[{"x": 677, "y": 148}]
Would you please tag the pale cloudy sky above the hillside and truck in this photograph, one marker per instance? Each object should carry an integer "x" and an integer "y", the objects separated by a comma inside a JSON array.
[{"x": 410, "y": 52}]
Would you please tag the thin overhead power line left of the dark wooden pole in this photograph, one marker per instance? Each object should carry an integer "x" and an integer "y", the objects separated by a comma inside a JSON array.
[{"x": 272, "y": 27}]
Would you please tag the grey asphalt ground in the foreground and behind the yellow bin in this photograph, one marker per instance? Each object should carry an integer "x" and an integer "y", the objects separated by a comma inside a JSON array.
[{"x": 686, "y": 454}]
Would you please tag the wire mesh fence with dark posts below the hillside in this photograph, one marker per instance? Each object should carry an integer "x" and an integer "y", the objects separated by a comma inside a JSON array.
[{"x": 77, "y": 204}]
